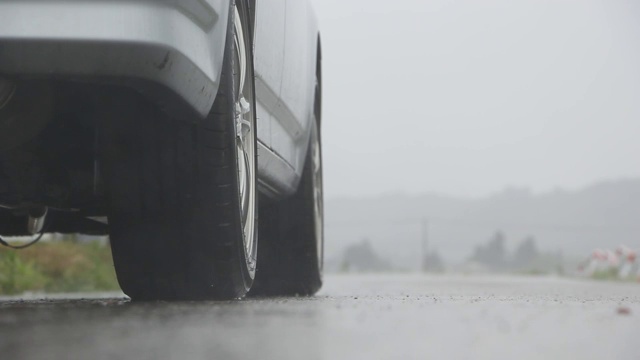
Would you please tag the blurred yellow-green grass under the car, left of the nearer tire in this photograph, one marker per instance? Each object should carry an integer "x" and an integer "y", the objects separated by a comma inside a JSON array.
[{"x": 58, "y": 266}]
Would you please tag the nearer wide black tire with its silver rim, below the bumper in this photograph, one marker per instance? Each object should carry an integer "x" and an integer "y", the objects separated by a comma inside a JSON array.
[{"x": 179, "y": 224}]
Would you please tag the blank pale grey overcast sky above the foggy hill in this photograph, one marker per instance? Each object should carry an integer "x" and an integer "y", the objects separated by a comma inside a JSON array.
[{"x": 468, "y": 97}]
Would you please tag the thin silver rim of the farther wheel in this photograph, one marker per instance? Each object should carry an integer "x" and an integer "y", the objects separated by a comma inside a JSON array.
[{"x": 318, "y": 205}]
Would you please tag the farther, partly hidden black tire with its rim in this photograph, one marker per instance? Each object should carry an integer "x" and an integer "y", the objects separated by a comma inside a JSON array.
[{"x": 290, "y": 261}]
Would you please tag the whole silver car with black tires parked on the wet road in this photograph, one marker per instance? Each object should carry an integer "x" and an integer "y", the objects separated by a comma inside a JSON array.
[{"x": 184, "y": 129}]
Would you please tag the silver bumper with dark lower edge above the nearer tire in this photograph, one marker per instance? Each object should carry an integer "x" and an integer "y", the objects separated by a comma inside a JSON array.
[{"x": 171, "y": 50}]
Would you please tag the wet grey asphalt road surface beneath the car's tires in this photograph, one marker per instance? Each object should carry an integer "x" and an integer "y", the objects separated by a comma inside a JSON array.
[{"x": 354, "y": 317}]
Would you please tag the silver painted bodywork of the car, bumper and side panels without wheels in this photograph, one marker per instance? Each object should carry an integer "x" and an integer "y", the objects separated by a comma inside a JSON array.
[{"x": 171, "y": 50}]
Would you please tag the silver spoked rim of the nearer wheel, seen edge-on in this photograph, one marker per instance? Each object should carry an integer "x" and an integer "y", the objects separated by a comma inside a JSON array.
[{"x": 245, "y": 140}]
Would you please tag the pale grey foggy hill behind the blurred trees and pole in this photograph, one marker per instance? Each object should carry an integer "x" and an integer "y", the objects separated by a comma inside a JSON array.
[{"x": 604, "y": 215}]
